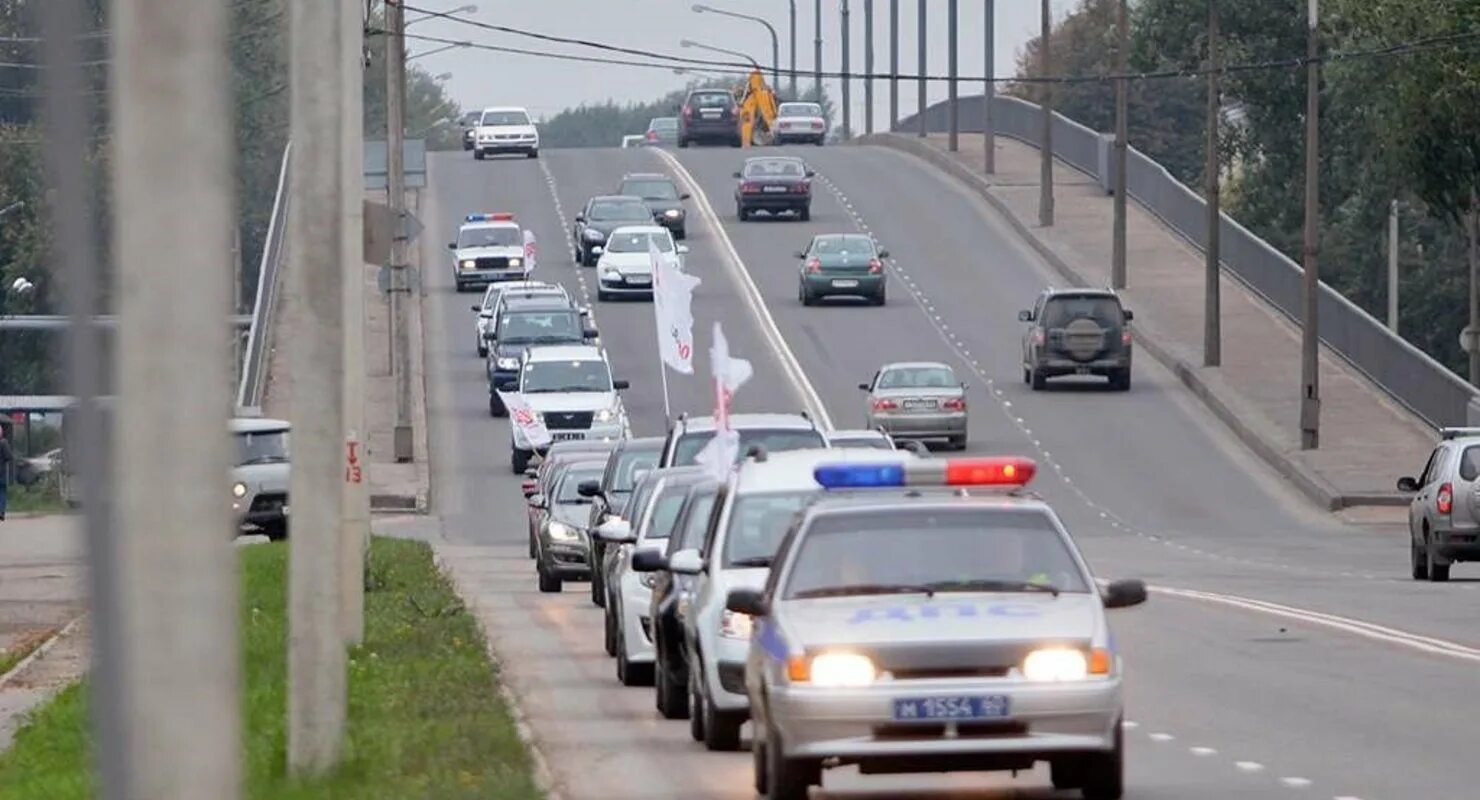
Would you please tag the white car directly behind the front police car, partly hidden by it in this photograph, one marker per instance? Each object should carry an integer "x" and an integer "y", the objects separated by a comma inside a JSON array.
[{"x": 753, "y": 512}]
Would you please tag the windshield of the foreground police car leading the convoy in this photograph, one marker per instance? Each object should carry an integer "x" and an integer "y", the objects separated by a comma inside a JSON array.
[{"x": 938, "y": 551}]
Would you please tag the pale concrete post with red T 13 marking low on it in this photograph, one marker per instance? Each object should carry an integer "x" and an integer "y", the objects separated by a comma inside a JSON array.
[{"x": 356, "y": 529}]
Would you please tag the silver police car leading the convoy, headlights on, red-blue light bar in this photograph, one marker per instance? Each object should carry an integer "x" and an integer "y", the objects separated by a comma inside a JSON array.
[{"x": 905, "y": 631}]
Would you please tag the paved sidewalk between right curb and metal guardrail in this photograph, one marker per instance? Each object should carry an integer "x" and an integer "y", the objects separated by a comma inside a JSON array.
[{"x": 1367, "y": 438}]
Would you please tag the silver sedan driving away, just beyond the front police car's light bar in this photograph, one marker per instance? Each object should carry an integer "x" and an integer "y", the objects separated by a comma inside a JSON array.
[{"x": 918, "y": 400}]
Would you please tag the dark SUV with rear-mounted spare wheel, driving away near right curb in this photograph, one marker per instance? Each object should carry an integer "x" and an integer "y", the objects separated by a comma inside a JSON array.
[{"x": 1077, "y": 332}]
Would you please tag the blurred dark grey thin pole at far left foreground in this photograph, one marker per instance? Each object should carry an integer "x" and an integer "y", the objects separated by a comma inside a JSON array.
[{"x": 76, "y": 257}]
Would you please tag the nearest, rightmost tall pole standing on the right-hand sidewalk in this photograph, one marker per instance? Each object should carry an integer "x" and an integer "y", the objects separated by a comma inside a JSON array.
[{"x": 1311, "y": 285}]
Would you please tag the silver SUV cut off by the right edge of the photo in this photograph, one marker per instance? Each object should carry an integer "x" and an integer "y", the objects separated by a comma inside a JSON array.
[{"x": 1444, "y": 518}]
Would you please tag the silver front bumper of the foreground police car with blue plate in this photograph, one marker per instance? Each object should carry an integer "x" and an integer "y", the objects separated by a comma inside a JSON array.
[{"x": 861, "y": 724}]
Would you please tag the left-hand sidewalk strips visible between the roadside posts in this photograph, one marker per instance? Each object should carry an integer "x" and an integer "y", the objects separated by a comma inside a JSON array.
[{"x": 393, "y": 487}]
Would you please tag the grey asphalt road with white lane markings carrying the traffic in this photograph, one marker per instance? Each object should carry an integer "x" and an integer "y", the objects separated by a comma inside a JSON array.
[{"x": 1226, "y": 702}]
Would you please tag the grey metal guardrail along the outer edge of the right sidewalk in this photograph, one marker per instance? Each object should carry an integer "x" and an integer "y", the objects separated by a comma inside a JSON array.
[{"x": 1408, "y": 375}]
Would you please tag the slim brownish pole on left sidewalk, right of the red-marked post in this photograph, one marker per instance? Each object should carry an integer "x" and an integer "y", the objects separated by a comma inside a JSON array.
[{"x": 396, "y": 191}]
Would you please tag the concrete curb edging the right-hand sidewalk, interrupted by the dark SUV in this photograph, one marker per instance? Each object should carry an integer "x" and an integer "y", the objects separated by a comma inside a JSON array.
[{"x": 1309, "y": 483}]
